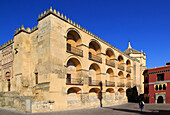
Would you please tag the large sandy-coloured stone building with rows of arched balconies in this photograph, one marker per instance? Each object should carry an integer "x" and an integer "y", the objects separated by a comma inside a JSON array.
[{"x": 59, "y": 65}]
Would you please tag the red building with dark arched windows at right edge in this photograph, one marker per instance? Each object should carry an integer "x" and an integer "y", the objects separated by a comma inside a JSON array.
[{"x": 157, "y": 84}]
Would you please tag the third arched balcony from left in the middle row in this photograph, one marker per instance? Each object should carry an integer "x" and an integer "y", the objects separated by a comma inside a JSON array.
[{"x": 110, "y": 78}]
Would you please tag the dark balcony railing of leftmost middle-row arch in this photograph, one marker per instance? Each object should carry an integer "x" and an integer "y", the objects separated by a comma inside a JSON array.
[{"x": 74, "y": 81}]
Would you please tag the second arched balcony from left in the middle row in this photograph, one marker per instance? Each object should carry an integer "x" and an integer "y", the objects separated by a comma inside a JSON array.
[{"x": 94, "y": 75}]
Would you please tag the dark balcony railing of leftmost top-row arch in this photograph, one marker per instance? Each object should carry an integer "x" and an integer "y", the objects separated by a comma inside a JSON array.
[{"x": 74, "y": 50}]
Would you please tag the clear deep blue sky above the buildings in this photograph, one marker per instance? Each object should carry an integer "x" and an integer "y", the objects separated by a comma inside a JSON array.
[{"x": 146, "y": 23}]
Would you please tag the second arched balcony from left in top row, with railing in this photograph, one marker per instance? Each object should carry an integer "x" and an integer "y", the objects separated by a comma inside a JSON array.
[{"x": 94, "y": 51}]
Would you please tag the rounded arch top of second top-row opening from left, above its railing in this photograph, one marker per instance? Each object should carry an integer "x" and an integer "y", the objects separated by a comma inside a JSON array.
[{"x": 95, "y": 45}]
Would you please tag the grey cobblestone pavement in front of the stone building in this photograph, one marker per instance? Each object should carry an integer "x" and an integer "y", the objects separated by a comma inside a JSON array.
[{"x": 125, "y": 109}]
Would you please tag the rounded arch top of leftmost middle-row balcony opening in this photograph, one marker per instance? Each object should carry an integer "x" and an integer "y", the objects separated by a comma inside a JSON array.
[{"x": 74, "y": 62}]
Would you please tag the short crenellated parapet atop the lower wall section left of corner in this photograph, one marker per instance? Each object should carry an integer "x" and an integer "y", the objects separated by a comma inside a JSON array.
[{"x": 27, "y": 30}]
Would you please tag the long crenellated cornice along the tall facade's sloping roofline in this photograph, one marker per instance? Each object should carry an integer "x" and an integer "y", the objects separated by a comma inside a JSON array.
[{"x": 64, "y": 18}]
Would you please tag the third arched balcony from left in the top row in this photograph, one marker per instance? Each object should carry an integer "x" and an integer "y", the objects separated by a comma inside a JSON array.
[{"x": 110, "y": 58}]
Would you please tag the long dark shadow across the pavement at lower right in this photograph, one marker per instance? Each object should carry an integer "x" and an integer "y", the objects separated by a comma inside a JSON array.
[{"x": 153, "y": 112}]
